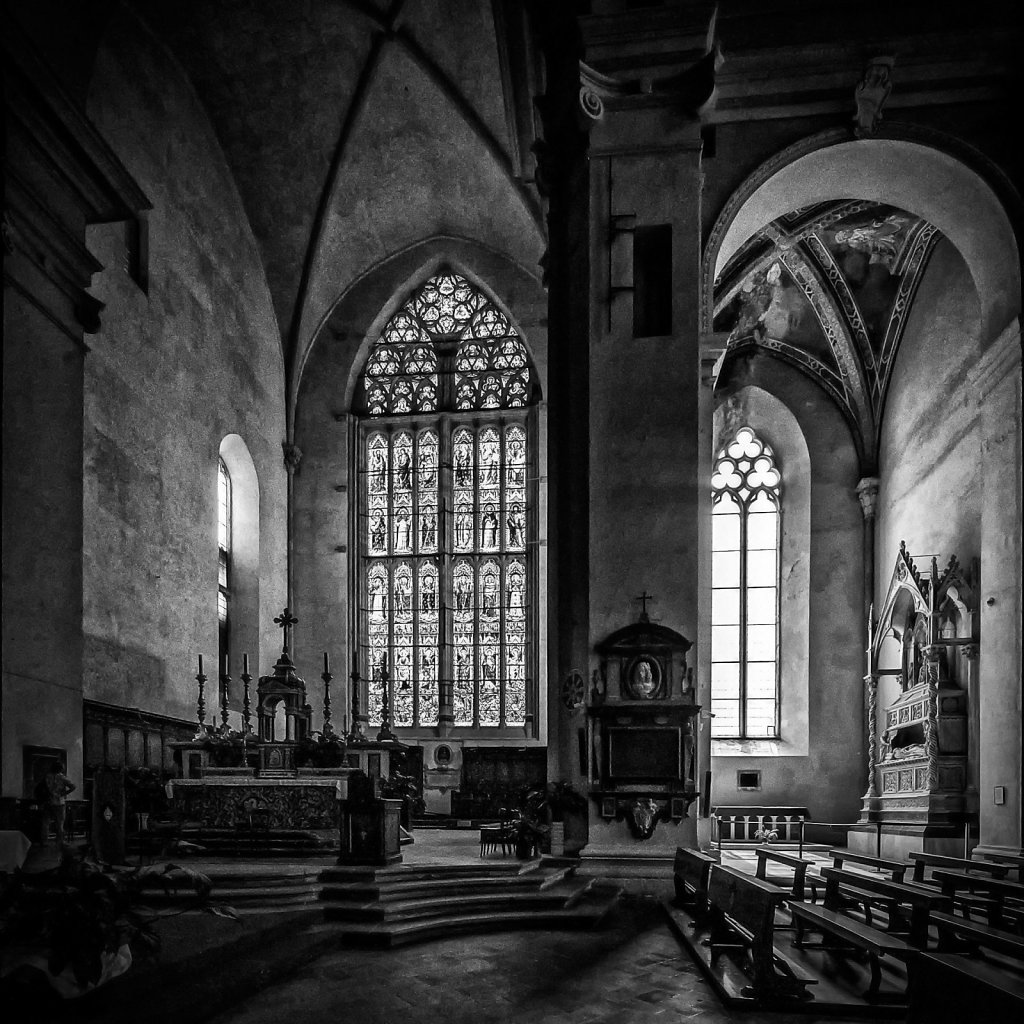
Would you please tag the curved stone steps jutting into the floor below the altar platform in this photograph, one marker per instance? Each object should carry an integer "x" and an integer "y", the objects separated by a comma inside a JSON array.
[{"x": 396, "y": 907}]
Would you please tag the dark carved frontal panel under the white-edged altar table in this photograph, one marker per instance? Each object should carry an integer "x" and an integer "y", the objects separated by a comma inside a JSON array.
[{"x": 267, "y": 804}]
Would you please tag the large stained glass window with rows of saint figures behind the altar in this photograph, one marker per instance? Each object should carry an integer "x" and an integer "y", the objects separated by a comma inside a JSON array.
[{"x": 446, "y": 506}]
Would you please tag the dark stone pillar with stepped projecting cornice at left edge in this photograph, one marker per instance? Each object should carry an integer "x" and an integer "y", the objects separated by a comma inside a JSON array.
[{"x": 61, "y": 178}]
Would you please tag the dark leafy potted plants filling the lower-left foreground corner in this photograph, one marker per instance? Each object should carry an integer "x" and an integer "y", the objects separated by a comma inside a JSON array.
[{"x": 84, "y": 923}]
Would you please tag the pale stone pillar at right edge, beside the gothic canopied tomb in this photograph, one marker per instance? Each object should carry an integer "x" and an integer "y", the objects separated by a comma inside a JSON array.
[{"x": 998, "y": 383}]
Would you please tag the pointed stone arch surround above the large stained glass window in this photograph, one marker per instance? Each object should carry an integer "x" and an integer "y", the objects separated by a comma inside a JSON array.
[{"x": 388, "y": 286}]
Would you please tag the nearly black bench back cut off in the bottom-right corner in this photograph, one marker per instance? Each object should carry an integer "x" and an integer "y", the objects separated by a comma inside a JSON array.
[{"x": 947, "y": 989}]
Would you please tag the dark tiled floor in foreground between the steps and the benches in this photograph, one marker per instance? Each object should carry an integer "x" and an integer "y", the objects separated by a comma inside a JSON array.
[{"x": 631, "y": 972}]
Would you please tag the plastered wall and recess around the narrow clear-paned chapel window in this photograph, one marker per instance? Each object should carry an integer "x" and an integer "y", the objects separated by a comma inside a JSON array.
[{"x": 820, "y": 762}]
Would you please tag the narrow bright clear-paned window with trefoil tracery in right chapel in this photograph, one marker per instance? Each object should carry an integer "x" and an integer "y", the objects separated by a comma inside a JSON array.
[{"x": 746, "y": 535}]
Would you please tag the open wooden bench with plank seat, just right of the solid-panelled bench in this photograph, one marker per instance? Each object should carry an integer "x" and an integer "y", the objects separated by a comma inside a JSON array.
[{"x": 850, "y": 933}]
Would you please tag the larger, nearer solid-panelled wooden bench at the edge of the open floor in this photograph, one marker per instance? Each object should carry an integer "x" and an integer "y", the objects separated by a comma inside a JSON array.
[{"x": 743, "y": 911}]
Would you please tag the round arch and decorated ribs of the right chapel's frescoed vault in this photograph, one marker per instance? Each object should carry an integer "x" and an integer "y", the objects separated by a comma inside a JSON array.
[{"x": 830, "y": 168}]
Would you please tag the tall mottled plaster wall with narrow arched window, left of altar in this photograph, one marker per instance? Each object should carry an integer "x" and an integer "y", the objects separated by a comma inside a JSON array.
[{"x": 175, "y": 369}]
